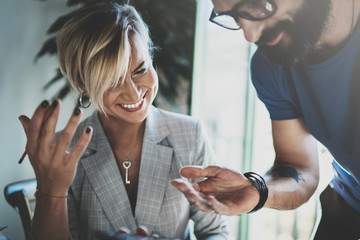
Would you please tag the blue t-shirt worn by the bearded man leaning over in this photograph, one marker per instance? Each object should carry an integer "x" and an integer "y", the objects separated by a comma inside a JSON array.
[{"x": 327, "y": 97}]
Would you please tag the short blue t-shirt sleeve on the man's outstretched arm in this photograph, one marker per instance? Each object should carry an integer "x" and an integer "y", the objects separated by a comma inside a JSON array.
[{"x": 271, "y": 89}]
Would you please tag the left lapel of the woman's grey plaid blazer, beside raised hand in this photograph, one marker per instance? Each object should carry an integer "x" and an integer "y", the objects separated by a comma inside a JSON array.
[{"x": 103, "y": 174}]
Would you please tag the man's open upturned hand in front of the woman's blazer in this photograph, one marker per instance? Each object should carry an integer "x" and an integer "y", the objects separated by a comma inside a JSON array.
[{"x": 224, "y": 191}]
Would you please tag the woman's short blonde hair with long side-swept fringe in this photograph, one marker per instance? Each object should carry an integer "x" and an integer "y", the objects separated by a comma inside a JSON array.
[{"x": 94, "y": 49}]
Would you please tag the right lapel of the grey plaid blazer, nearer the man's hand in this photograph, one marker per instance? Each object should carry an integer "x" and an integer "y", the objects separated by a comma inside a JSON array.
[{"x": 154, "y": 170}]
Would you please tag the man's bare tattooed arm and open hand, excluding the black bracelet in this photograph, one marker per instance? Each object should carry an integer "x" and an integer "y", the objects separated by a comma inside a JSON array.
[{"x": 291, "y": 181}]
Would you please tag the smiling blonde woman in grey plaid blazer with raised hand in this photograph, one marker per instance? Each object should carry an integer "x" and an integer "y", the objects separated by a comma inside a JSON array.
[{"x": 120, "y": 161}]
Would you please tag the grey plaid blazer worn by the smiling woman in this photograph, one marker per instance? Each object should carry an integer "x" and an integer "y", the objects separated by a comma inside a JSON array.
[{"x": 98, "y": 200}]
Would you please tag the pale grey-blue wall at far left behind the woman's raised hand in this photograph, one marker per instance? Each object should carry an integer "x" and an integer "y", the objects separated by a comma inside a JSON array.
[{"x": 23, "y": 25}]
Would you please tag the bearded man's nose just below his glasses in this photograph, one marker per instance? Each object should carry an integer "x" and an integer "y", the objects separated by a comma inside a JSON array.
[{"x": 252, "y": 29}]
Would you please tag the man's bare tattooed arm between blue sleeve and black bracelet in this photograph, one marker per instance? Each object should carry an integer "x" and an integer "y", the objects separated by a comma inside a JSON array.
[{"x": 295, "y": 174}]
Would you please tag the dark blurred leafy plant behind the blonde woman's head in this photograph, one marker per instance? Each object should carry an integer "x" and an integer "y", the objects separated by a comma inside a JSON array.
[{"x": 172, "y": 28}]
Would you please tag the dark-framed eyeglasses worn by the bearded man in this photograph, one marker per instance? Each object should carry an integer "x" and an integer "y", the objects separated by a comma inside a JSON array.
[{"x": 253, "y": 10}]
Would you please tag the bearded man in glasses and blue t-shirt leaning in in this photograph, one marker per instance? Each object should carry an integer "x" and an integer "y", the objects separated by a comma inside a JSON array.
[{"x": 306, "y": 70}]
